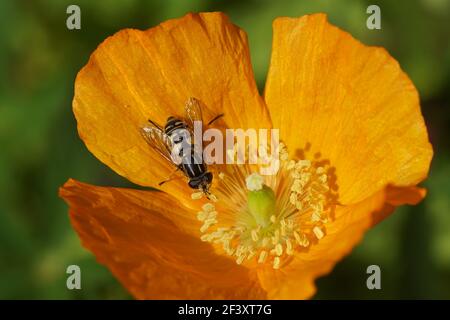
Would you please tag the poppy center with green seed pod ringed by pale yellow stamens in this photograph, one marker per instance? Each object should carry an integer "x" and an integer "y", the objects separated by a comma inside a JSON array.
[{"x": 265, "y": 219}]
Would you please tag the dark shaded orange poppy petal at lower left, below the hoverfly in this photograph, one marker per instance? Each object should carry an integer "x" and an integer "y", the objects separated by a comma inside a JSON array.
[{"x": 145, "y": 238}]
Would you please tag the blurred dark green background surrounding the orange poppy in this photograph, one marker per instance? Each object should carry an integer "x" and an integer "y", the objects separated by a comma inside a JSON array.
[{"x": 40, "y": 149}]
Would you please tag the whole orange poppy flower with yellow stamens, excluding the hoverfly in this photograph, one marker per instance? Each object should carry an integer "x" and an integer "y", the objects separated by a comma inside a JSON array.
[{"x": 355, "y": 147}]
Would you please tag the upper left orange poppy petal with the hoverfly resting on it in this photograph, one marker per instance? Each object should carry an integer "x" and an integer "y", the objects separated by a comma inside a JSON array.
[{"x": 138, "y": 75}]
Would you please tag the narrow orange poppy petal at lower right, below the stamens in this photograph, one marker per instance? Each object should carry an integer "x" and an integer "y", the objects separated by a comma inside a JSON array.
[{"x": 296, "y": 279}]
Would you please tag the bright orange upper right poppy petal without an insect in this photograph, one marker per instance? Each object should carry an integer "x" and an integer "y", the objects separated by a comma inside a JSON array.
[{"x": 349, "y": 102}]
